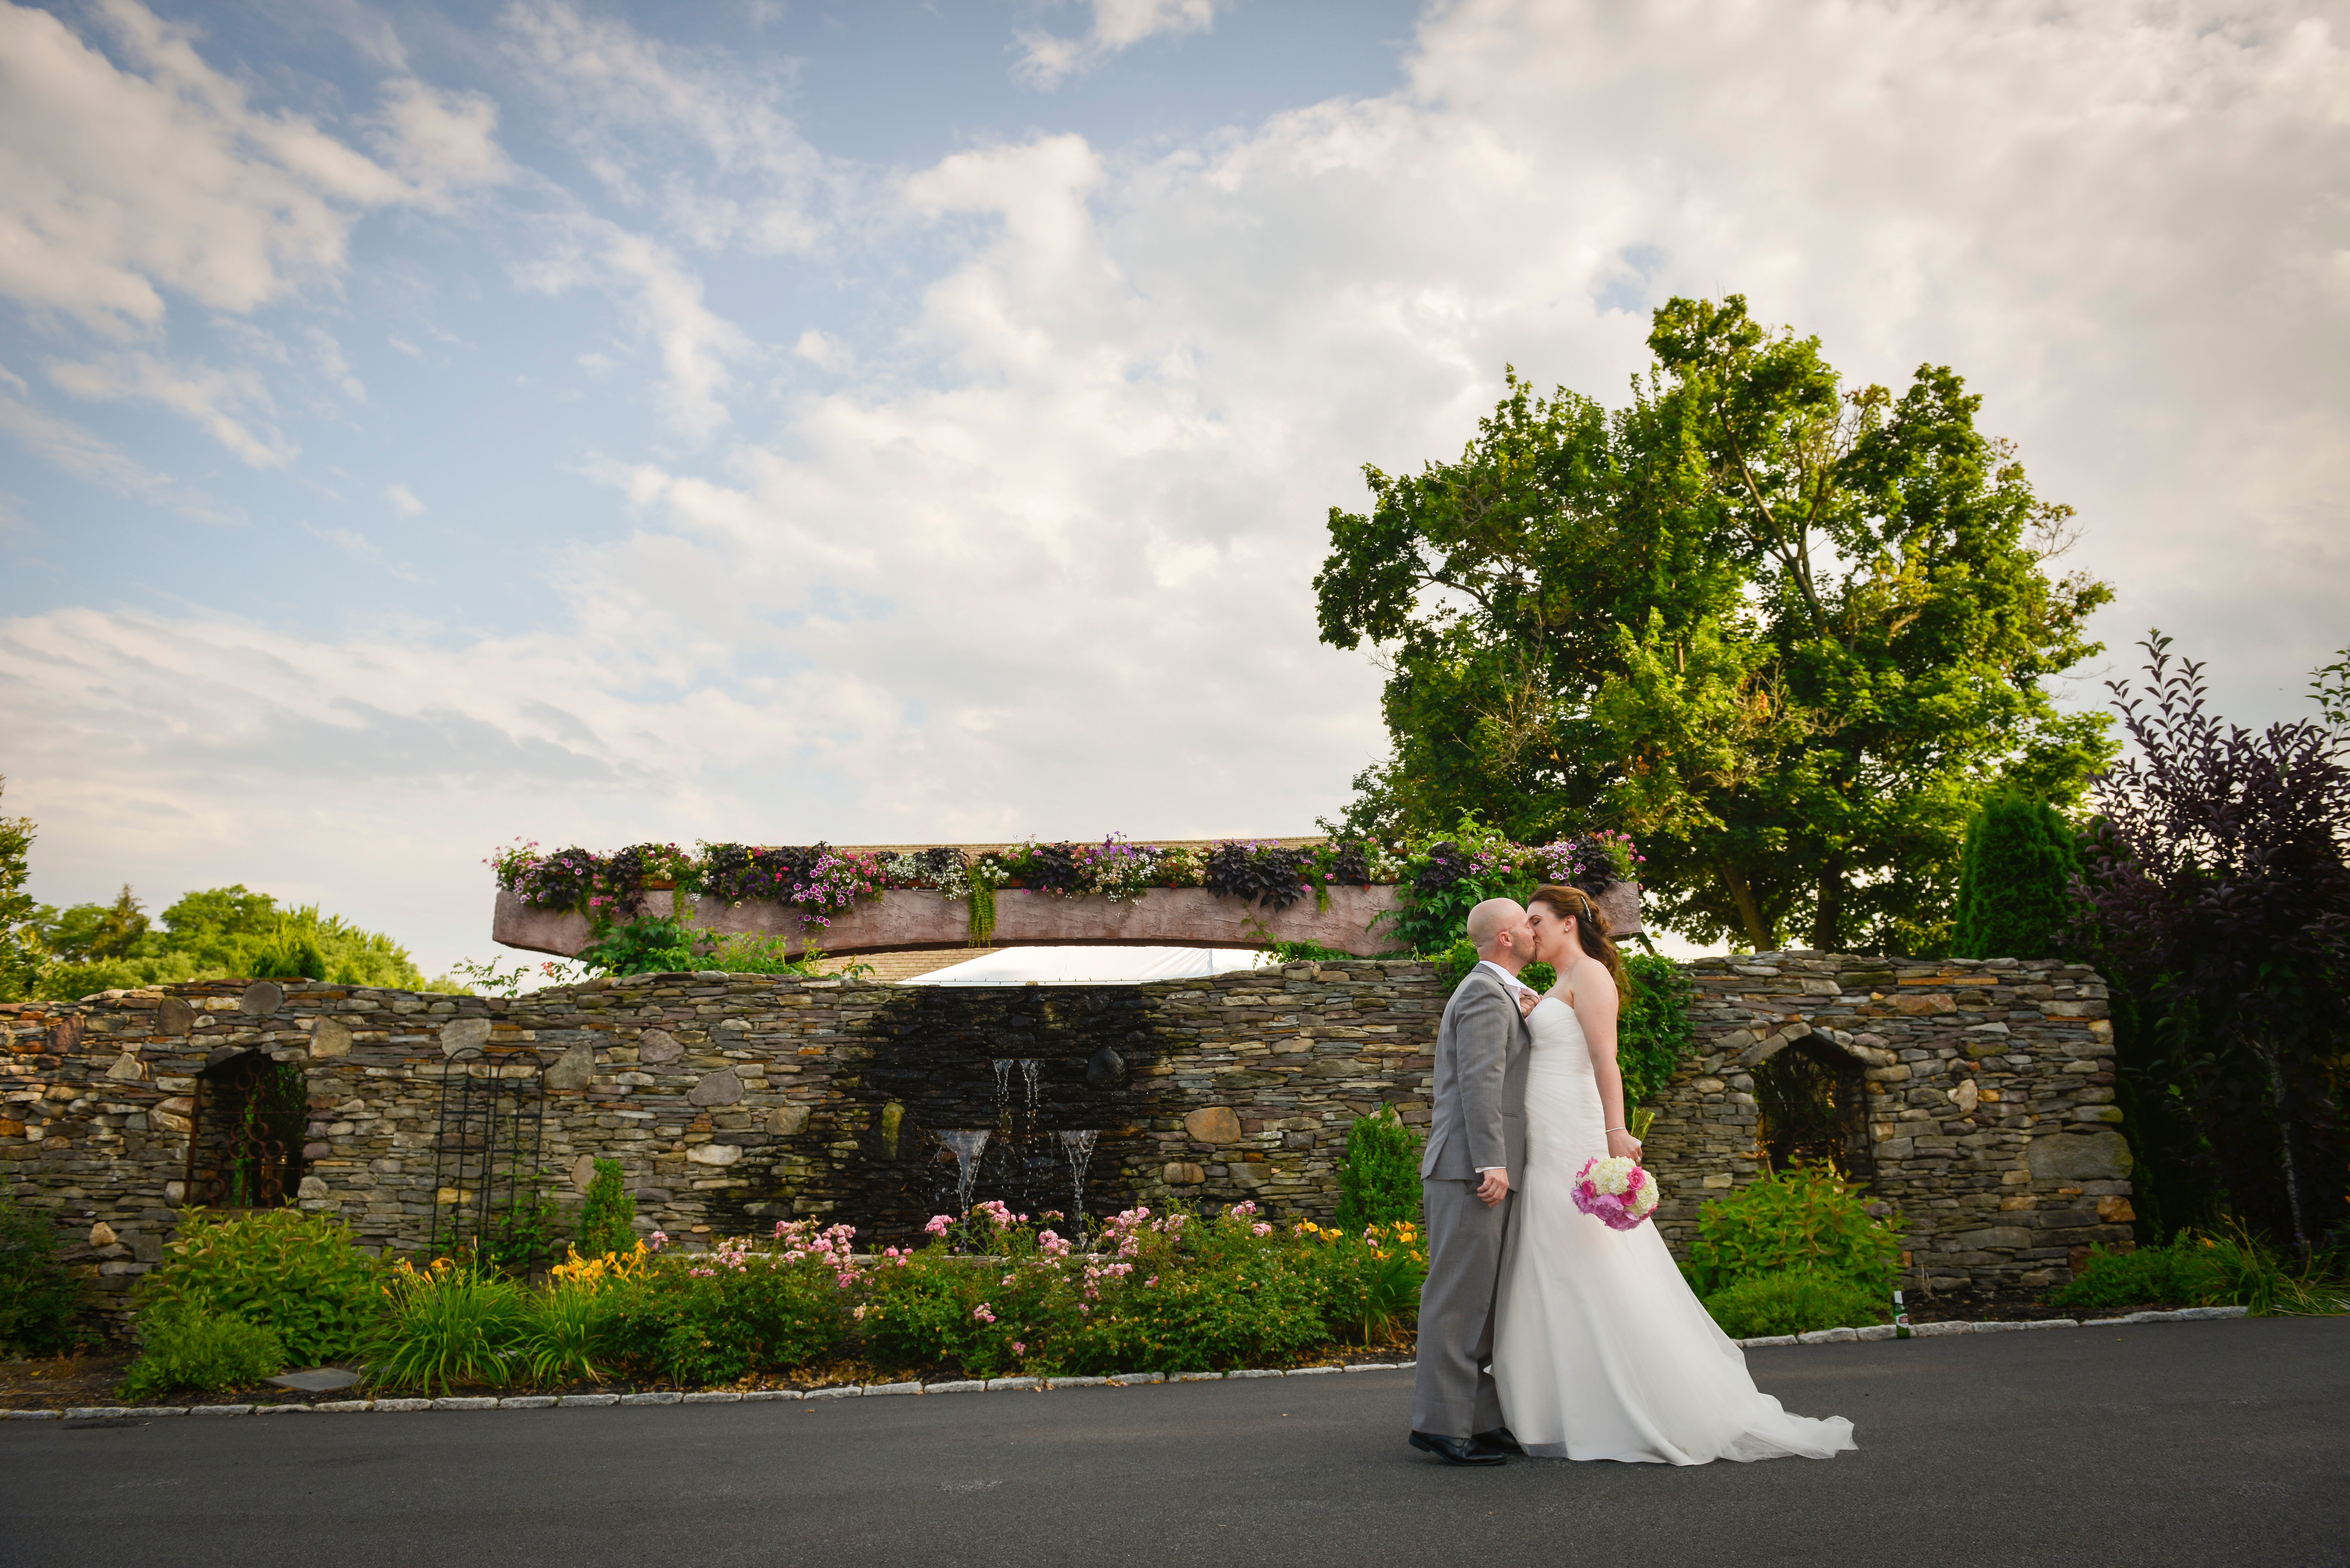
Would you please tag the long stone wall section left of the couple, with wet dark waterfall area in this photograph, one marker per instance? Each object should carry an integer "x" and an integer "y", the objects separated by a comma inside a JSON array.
[{"x": 727, "y": 1099}]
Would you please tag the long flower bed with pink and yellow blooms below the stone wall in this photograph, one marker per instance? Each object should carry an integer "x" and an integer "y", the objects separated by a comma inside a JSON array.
[{"x": 998, "y": 1296}]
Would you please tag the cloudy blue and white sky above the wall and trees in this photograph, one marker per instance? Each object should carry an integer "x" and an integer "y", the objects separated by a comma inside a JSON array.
[{"x": 873, "y": 422}]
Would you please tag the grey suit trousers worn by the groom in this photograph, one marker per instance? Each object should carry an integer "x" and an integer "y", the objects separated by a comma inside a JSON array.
[{"x": 1453, "y": 1393}]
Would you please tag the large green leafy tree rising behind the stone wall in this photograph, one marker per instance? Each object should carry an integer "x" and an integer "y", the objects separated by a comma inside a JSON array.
[{"x": 1785, "y": 634}]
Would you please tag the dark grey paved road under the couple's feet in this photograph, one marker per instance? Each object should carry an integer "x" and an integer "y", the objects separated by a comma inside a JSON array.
[{"x": 2154, "y": 1445}]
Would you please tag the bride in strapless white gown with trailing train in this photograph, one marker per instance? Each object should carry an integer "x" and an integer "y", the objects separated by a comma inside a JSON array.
[{"x": 1602, "y": 1353}]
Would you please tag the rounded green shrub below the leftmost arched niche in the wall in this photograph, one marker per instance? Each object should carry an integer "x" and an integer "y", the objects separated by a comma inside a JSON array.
[{"x": 278, "y": 1268}]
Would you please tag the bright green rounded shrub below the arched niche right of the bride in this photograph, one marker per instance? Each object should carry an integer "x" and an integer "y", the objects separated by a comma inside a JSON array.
[{"x": 1799, "y": 1219}]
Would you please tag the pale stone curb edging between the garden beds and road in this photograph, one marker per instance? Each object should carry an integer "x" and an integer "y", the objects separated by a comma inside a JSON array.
[{"x": 1005, "y": 1386}]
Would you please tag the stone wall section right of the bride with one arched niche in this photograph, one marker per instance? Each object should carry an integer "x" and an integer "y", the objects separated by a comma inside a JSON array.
[{"x": 1989, "y": 1092}]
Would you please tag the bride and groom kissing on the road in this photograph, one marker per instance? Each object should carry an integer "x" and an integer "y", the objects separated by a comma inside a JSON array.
[{"x": 1545, "y": 1332}]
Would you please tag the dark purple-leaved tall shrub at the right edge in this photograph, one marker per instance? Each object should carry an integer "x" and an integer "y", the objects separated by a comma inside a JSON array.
[{"x": 2222, "y": 913}]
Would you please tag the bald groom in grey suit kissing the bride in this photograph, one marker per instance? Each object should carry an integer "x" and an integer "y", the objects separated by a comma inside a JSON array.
[{"x": 1477, "y": 1141}]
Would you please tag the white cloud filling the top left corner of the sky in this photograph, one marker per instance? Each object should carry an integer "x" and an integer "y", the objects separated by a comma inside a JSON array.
[{"x": 126, "y": 182}]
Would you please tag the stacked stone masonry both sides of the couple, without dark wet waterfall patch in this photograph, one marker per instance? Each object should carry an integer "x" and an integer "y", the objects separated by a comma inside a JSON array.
[{"x": 739, "y": 1099}]
